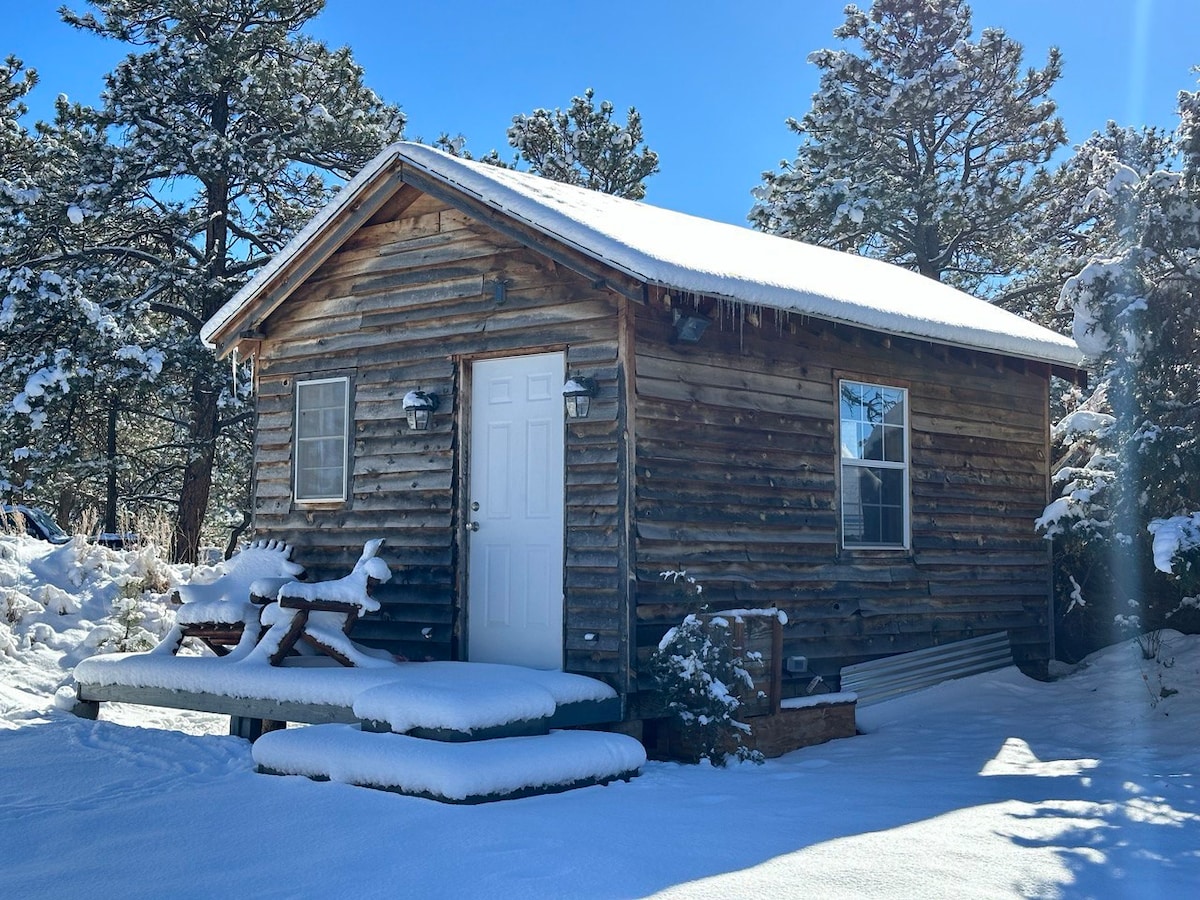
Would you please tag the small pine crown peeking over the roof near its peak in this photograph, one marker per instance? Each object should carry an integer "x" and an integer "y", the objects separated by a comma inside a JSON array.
[{"x": 583, "y": 146}]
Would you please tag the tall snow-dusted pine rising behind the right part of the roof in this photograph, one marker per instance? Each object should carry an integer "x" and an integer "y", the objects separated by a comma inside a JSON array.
[{"x": 923, "y": 147}]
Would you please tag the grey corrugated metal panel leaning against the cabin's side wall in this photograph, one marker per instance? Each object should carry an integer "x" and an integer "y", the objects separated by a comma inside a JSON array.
[{"x": 892, "y": 676}]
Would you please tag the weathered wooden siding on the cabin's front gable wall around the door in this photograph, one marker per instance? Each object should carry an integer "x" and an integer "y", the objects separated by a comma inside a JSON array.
[{"x": 398, "y": 309}]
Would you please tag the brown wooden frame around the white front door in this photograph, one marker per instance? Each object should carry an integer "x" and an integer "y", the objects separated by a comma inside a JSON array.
[{"x": 461, "y": 632}]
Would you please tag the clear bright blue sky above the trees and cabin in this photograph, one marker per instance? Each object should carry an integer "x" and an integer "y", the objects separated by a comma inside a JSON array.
[{"x": 713, "y": 81}]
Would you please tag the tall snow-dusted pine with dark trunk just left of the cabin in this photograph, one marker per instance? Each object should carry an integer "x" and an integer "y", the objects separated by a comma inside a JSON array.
[{"x": 231, "y": 129}]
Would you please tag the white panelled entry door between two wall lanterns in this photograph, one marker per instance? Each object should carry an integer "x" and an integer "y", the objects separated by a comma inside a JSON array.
[{"x": 515, "y": 512}]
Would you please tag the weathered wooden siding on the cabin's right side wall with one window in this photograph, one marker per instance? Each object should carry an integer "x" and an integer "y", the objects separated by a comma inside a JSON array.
[{"x": 736, "y": 482}]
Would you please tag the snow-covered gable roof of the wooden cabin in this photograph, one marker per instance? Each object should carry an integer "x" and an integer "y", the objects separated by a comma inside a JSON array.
[{"x": 688, "y": 254}]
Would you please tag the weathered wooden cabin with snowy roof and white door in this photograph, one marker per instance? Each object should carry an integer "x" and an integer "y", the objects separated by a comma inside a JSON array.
[{"x": 545, "y": 398}]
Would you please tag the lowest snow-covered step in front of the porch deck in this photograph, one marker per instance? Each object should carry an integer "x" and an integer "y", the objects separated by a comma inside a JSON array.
[{"x": 475, "y": 772}]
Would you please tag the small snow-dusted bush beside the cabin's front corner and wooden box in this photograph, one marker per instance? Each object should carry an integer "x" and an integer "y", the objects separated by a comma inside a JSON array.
[{"x": 701, "y": 676}]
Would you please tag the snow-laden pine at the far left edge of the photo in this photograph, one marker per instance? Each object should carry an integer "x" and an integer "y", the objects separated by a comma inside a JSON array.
[{"x": 65, "y": 357}]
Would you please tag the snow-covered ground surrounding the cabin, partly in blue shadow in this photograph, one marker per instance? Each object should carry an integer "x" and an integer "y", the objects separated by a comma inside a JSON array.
[{"x": 989, "y": 788}]
